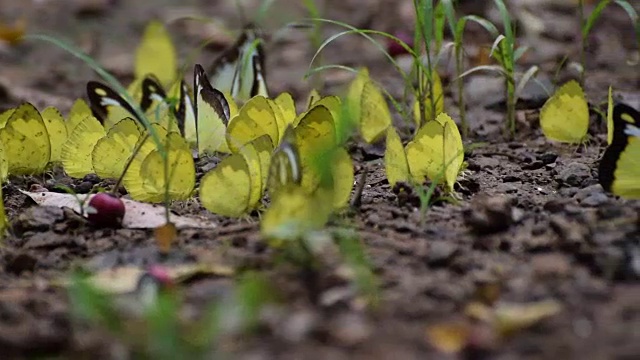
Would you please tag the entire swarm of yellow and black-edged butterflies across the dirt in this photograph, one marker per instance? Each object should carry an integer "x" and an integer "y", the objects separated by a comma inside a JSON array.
[{"x": 265, "y": 146}]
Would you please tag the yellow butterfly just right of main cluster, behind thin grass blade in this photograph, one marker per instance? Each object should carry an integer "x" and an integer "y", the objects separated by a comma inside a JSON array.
[{"x": 368, "y": 106}]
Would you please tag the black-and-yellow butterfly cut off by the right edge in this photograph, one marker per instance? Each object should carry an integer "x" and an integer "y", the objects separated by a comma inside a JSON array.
[{"x": 619, "y": 170}]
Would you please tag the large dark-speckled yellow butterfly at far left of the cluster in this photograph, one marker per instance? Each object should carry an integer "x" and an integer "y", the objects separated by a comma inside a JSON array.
[{"x": 26, "y": 141}]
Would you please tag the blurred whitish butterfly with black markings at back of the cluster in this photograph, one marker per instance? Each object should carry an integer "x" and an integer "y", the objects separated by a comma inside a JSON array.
[{"x": 239, "y": 70}]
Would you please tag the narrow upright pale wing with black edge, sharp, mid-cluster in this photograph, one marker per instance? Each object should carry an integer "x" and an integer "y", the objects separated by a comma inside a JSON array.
[{"x": 211, "y": 114}]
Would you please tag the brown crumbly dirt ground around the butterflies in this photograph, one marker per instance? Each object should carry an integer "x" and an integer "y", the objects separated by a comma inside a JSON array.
[{"x": 531, "y": 219}]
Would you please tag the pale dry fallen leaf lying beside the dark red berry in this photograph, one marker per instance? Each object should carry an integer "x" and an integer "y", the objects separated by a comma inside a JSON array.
[{"x": 137, "y": 215}]
